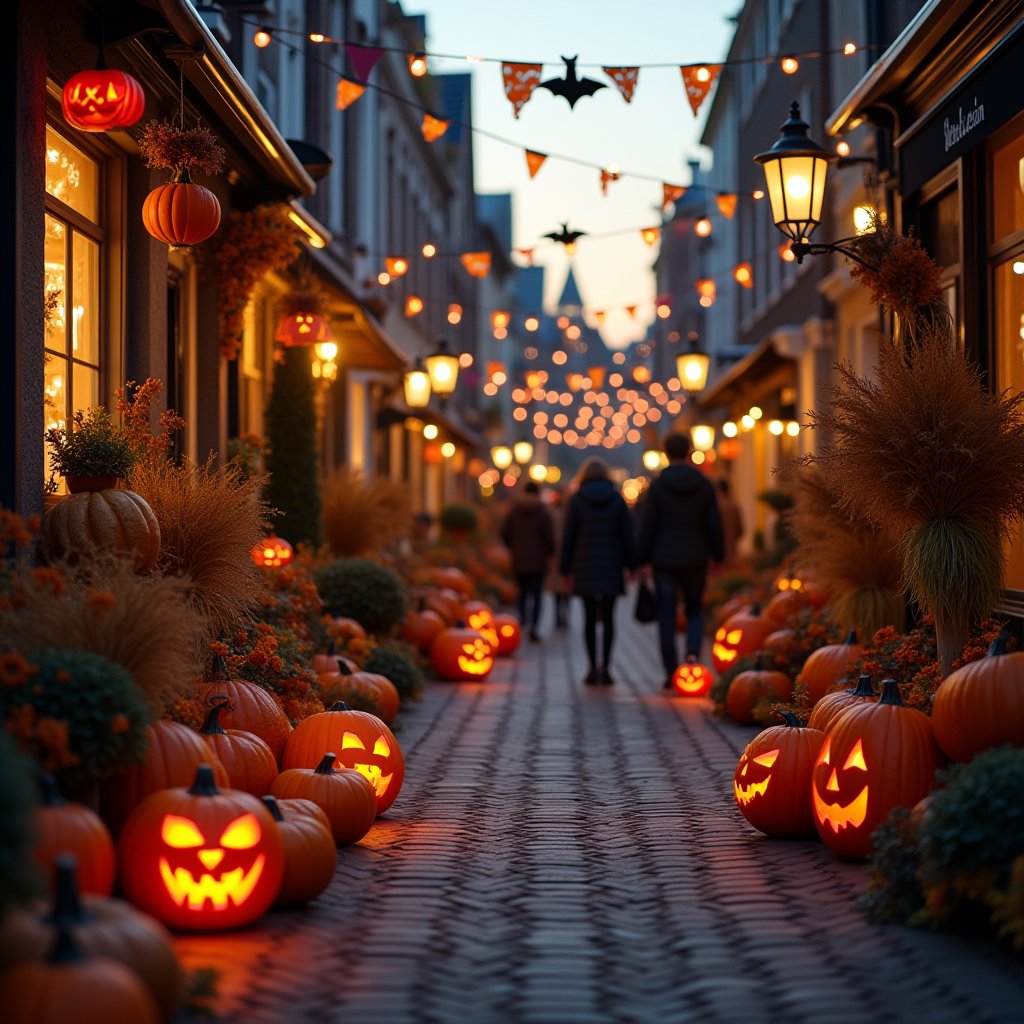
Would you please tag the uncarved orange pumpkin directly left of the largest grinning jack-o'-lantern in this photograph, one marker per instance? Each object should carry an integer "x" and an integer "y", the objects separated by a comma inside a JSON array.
[{"x": 64, "y": 828}]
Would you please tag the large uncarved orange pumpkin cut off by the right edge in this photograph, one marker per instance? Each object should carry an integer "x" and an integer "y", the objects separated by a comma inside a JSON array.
[{"x": 982, "y": 705}]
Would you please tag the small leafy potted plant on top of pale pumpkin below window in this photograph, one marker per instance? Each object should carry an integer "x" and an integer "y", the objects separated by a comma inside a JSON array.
[{"x": 93, "y": 454}]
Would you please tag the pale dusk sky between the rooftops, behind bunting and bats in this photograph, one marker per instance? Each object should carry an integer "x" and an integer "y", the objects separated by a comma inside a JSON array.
[{"x": 656, "y": 135}]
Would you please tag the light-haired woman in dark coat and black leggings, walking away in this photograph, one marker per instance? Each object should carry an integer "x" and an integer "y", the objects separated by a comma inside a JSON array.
[{"x": 598, "y": 549}]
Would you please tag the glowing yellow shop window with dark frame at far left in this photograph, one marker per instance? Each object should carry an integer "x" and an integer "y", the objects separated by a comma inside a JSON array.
[{"x": 72, "y": 263}]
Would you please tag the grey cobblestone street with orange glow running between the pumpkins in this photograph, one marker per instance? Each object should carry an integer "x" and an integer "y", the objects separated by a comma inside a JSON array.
[{"x": 563, "y": 854}]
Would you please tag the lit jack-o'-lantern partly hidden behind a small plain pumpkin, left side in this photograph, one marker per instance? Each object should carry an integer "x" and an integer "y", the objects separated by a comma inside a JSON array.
[{"x": 361, "y": 742}]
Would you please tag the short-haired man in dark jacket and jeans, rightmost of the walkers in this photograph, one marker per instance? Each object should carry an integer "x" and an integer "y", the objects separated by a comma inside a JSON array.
[{"x": 680, "y": 533}]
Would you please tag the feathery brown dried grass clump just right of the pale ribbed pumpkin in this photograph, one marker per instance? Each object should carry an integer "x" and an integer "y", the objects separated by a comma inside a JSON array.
[{"x": 210, "y": 520}]
